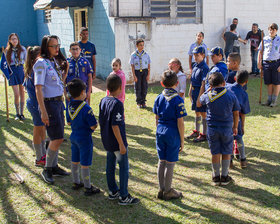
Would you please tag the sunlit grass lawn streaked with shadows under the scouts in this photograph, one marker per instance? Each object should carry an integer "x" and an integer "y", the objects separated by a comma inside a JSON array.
[{"x": 254, "y": 198}]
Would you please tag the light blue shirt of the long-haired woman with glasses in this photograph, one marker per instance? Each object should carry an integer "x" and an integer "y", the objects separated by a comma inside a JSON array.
[{"x": 50, "y": 78}]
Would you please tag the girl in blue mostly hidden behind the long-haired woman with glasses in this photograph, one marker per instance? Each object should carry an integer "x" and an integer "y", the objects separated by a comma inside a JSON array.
[{"x": 39, "y": 130}]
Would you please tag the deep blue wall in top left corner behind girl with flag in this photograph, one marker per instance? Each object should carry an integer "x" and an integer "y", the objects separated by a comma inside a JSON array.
[{"x": 18, "y": 17}]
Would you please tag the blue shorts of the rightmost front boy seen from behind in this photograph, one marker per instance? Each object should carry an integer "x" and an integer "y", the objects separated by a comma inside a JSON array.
[{"x": 220, "y": 140}]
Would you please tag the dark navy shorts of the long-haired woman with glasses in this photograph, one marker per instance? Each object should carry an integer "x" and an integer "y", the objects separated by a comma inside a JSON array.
[{"x": 55, "y": 110}]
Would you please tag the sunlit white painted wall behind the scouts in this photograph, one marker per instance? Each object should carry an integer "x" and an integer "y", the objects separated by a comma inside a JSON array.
[{"x": 169, "y": 41}]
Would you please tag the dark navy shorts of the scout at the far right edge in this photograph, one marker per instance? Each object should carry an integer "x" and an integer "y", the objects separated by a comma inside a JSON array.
[{"x": 270, "y": 73}]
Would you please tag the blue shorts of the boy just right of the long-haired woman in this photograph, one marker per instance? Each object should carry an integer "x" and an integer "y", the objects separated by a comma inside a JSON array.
[{"x": 82, "y": 149}]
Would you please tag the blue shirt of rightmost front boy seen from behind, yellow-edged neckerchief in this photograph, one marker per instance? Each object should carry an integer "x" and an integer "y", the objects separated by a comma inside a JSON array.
[{"x": 220, "y": 104}]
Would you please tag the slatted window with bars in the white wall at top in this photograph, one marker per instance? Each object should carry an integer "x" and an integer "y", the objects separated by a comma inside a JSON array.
[{"x": 184, "y": 10}]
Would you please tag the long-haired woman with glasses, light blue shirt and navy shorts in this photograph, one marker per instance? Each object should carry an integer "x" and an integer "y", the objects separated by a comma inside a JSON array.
[{"x": 49, "y": 70}]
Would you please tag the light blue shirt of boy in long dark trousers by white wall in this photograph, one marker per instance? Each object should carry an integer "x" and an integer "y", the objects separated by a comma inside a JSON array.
[{"x": 140, "y": 60}]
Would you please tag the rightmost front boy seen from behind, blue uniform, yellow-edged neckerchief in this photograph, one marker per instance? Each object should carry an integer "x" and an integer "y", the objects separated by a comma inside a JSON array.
[{"x": 222, "y": 121}]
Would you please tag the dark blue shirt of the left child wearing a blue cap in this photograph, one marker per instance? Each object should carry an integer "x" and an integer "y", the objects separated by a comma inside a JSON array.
[{"x": 199, "y": 73}]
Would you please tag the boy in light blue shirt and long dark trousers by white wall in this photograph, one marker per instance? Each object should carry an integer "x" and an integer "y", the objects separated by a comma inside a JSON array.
[{"x": 140, "y": 66}]
